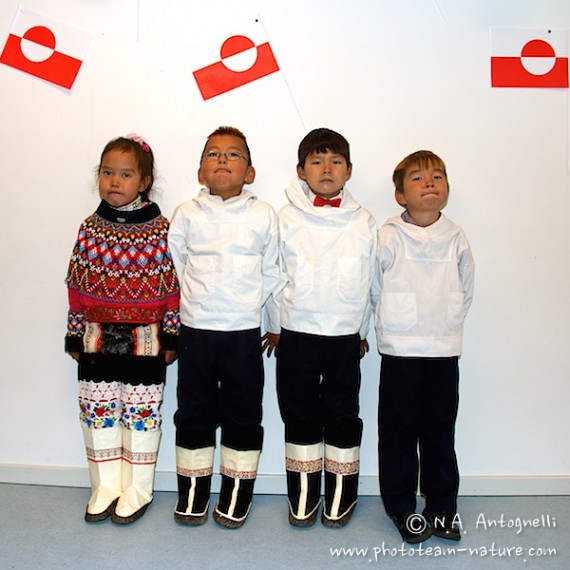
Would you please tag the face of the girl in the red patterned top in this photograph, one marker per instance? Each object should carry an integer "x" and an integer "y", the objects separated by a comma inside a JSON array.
[{"x": 120, "y": 180}]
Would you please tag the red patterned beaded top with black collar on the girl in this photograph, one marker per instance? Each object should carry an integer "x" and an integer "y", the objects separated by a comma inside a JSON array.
[{"x": 121, "y": 271}]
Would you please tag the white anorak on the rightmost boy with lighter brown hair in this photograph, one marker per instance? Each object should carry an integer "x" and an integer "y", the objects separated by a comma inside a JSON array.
[{"x": 425, "y": 280}]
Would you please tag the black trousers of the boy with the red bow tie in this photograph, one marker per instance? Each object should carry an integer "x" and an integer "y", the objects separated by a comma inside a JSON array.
[{"x": 318, "y": 385}]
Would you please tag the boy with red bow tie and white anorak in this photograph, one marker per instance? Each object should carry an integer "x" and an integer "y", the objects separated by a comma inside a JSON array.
[{"x": 327, "y": 244}]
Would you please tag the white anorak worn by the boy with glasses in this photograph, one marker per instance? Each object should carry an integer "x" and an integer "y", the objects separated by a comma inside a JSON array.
[{"x": 226, "y": 257}]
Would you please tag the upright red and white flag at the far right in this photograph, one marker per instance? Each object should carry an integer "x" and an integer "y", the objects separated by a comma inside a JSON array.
[{"x": 529, "y": 58}]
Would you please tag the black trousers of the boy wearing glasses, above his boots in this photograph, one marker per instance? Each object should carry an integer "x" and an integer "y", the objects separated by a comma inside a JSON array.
[{"x": 220, "y": 383}]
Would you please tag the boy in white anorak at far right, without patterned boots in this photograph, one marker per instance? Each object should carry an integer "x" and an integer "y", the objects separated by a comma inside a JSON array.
[{"x": 425, "y": 280}]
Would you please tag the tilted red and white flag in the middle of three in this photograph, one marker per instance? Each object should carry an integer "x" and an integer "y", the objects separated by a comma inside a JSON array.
[{"x": 243, "y": 58}]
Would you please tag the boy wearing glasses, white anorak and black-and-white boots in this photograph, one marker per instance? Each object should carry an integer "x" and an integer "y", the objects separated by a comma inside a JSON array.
[{"x": 225, "y": 249}]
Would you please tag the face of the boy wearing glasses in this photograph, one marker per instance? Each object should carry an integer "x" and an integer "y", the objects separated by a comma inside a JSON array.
[{"x": 224, "y": 177}]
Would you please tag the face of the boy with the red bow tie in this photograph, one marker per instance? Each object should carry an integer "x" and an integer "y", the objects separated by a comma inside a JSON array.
[{"x": 325, "y": 172}]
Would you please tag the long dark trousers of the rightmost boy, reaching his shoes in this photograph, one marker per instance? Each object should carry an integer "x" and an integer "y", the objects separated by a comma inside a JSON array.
[{"x": 417, "y": 410}]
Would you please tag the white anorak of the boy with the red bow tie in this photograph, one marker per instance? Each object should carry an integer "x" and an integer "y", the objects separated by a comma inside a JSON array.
[{"x": 328, "y": 260}]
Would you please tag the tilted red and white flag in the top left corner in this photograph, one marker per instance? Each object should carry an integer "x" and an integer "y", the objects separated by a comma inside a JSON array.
[{"x": 46, "y": 48}]
